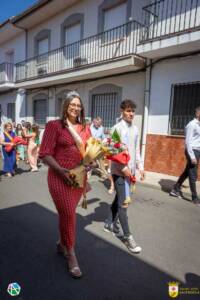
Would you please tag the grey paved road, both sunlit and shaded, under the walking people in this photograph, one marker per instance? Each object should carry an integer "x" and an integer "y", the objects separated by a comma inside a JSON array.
[{"x": 166, "y": 228}]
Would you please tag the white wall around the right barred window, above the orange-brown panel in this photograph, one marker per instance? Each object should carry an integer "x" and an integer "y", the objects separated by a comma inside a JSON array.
[{"x": 165, "y": 74}]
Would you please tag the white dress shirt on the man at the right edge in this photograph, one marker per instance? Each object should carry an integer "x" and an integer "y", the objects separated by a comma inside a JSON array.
[{"x": 192, "y": 137}]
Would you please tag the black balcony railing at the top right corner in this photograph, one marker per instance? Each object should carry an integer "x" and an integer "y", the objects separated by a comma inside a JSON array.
[{"x": 170, "y": 17}]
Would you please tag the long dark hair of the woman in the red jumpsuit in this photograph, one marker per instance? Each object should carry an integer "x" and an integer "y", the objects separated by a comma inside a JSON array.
[{"x": 68, "y": 97}]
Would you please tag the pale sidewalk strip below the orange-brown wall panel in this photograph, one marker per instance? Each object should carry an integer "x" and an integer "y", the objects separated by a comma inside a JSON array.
[{"x": 165, "y": 182}]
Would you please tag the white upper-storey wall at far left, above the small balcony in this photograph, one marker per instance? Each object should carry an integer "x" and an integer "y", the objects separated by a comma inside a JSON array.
[{"x": 18, "y": 45}]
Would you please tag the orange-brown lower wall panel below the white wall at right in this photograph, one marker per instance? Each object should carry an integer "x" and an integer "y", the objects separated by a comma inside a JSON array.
[{"x": 165, "y": 154}]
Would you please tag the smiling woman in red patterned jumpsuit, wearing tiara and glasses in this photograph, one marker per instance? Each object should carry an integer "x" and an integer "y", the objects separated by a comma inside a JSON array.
[{"x": 59, "y": 151}]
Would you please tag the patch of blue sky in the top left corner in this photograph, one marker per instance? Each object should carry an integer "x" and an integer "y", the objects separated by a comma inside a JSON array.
[{"x": 11, "y": 8}]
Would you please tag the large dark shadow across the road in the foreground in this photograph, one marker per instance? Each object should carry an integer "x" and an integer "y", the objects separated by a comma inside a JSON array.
[{"x": 28, "y": 256}]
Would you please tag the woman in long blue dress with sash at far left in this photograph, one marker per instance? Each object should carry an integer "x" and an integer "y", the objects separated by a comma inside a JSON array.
[{"x": 9, "y": 158}]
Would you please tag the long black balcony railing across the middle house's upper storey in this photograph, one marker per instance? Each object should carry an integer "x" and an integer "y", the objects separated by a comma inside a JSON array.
[{"x": 109, "y": 45}]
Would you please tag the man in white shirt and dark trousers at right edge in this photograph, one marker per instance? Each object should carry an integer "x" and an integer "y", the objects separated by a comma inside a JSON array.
[{"x": 192, "y": 152}]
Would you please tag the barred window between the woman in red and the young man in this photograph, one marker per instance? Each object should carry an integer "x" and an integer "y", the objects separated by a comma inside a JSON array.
[{"x": 106, "y": 107}]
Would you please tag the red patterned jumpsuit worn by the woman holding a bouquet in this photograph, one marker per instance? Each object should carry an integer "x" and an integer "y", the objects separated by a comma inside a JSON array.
[{"x": 59, "y": 143}]
